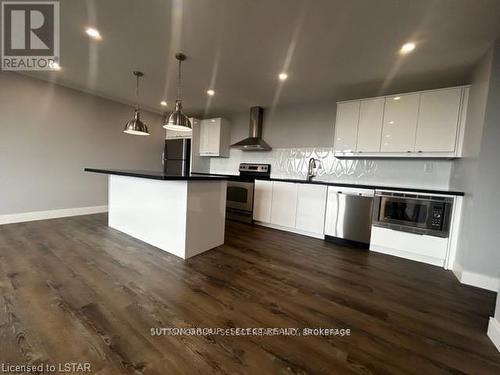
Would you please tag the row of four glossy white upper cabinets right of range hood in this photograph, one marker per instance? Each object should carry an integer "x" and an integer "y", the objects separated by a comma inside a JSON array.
[{"x": 421, "y": 124}]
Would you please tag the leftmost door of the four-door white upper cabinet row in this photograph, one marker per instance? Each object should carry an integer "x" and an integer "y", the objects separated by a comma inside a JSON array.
[{"x": 346, "y": 126}]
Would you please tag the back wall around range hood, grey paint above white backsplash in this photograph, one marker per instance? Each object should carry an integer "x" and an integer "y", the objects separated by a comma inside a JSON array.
[{"x": 297, "y": 133}]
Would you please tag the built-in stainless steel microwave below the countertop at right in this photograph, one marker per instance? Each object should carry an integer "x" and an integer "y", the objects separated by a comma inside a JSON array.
[{"x": 421, "y": 214}]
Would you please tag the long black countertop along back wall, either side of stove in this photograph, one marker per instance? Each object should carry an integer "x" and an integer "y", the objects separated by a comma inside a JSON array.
[{"x": 355, "y": 186}]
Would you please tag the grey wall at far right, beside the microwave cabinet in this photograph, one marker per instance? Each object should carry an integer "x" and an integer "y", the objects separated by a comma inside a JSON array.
[{"x": 479, "y": 173}]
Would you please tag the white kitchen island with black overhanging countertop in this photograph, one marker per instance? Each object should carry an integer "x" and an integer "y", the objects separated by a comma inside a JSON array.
[{"x": 181, "y": 214}]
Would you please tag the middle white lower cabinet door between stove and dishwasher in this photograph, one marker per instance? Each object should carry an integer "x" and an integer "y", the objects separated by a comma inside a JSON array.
[{"x": 284, "y": 204}]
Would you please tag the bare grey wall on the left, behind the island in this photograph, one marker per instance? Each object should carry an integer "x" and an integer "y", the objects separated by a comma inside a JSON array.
[{"x": 50, "y": 133}]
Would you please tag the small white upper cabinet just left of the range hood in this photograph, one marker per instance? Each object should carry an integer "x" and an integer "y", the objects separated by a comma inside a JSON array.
[{"x": 214, "y": 137}]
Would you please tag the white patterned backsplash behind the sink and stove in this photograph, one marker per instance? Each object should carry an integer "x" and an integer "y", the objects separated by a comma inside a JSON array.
[{"x": 293, "y": 163}]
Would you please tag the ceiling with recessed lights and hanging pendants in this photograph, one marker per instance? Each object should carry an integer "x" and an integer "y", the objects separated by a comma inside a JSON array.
[{"x": 331, "y": 49}]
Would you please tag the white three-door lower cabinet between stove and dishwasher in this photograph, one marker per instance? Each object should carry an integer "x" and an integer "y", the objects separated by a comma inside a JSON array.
[{"x": 296, "y": 207}]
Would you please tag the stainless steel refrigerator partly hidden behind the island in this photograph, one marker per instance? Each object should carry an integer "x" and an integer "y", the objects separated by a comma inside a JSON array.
[{"x": 177, "y": 156}]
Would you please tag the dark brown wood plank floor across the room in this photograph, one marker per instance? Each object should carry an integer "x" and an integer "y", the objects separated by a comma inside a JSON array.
[{"x": 74, "y": 290}]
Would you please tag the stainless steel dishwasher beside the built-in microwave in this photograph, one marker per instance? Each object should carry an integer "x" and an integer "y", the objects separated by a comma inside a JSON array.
[{"x": 349, "y": 216}]
